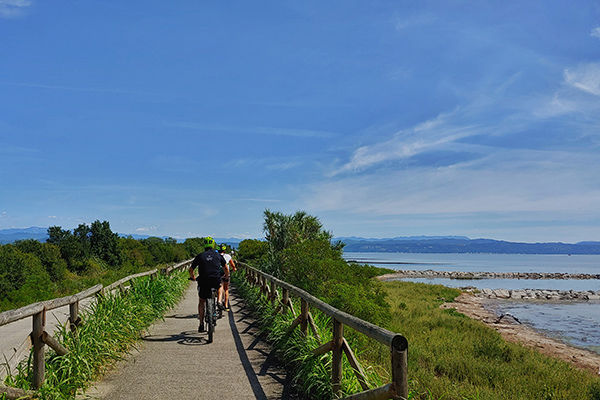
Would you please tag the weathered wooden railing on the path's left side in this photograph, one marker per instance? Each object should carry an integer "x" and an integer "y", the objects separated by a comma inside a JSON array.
[{"x": 38, "y": 337}]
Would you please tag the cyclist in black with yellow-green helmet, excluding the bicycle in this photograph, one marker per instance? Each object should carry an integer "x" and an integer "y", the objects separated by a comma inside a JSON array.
[{"x": 211, "y": 266}]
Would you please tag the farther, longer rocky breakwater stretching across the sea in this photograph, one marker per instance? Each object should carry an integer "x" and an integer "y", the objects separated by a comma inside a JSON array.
[{"x": 484, "y": 275}]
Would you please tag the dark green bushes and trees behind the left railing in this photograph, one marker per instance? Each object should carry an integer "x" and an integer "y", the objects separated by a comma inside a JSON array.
[{"x": 69, "y": 262}]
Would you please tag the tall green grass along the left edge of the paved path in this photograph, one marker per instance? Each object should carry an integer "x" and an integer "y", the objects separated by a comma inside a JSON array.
[{"x": 109, "y": 329}]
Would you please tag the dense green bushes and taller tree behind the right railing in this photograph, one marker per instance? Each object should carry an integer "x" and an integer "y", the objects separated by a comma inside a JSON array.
[{"x": 301, "y": 252}]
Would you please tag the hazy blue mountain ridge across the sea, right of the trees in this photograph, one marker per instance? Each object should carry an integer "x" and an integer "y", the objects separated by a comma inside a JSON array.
[{"x": 459, "y": 244}]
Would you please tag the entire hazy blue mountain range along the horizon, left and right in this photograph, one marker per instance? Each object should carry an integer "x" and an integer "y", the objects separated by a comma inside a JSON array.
[{"x": 401, "y": 244}]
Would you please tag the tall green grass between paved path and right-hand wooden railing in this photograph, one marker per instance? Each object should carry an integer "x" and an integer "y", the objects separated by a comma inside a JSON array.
[{"x": 311, "y": 374}]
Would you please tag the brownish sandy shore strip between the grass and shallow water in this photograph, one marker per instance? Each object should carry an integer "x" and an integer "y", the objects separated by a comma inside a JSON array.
[{"x": 513, "y": 331}]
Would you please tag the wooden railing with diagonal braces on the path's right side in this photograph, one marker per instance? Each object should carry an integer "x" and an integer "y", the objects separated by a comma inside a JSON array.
[{"x": 397, "y": 389}]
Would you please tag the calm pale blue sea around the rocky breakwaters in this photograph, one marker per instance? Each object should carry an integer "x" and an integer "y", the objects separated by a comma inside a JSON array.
[{"x": 575, "y": 323}]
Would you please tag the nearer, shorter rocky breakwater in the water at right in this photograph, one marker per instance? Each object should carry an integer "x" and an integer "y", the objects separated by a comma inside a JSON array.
[{"x": 536, "y": 294}]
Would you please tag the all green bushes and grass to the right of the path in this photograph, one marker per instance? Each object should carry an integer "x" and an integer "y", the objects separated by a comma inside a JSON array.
[{"x": 450, "y": 355}]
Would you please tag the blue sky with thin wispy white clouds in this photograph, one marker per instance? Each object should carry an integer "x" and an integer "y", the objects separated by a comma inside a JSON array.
[{"x": 381, "y": 118}]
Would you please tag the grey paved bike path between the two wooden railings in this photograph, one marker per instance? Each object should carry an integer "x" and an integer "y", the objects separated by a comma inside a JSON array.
[{"x": 175, "y": 361}]
